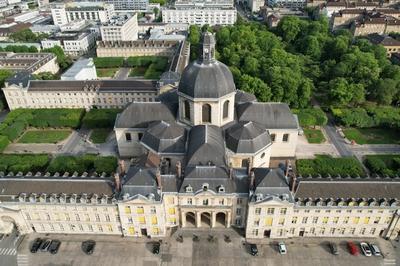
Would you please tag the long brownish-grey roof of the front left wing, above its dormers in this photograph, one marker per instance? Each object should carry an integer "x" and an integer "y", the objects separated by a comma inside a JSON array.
[{"x": 18, "y": 185}]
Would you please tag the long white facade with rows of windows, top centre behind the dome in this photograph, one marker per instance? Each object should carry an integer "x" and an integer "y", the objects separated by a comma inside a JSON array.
[{"x": 200, "y": 16}]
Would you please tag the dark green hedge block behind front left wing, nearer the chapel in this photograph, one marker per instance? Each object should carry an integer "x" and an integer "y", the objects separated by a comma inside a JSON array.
[{"x": 85, "y": 163}]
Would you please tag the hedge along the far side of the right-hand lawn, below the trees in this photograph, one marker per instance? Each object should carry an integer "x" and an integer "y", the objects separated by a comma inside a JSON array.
[{"x": 384, "y": 116}]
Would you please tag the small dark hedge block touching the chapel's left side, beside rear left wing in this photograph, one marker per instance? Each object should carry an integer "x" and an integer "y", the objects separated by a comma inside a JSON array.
[{"x": 100, "y": 118}]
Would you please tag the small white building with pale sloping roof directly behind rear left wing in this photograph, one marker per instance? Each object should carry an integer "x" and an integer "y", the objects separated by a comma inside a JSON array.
[{"x": 83, "y": 69}]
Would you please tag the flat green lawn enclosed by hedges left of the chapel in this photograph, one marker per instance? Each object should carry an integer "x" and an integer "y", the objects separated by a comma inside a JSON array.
[{"x": 44, "y": 136}]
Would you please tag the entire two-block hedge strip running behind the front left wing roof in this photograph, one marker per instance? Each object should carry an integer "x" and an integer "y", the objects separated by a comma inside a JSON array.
[{"x": 44, "y": 163}]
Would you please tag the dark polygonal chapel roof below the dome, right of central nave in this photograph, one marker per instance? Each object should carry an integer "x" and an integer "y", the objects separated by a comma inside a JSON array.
[{"x": 247, "y": 137}]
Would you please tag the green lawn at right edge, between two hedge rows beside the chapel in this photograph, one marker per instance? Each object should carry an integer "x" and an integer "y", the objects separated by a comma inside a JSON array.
[{"x": 373, "y": 135}]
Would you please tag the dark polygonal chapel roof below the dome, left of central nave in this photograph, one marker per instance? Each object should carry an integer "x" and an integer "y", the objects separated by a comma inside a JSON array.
[{"x": 163, "y": 137}]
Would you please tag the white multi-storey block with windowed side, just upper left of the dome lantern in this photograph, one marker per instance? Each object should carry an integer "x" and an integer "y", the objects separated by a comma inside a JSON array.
[{"x": 120, "y": 28}]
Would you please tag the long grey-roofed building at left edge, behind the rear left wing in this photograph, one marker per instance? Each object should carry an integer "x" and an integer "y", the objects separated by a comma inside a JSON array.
[{"x": 33, "y": 63}]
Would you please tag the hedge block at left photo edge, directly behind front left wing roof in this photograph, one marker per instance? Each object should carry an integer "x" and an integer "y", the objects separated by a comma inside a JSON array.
[{"x": 23, "y": 163}]
